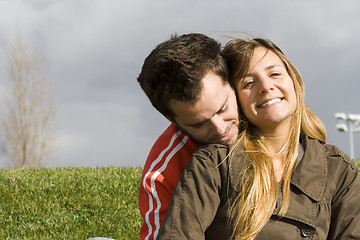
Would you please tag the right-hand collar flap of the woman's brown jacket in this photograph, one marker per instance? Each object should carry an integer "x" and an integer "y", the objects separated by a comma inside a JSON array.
[{"x": 311, "y": 173}]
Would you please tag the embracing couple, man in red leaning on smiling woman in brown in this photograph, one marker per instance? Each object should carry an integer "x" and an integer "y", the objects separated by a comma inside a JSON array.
[{"x": 268, "y": 174}]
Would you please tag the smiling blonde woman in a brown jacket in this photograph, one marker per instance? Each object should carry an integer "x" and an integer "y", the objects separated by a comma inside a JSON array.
[{"x": 280, "y": 180}]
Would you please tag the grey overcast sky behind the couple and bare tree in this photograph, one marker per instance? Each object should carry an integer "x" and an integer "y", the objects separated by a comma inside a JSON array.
[{"x": 95, "y": 50}]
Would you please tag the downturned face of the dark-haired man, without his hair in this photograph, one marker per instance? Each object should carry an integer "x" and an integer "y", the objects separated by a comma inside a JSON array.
[{"x": 213, "y": 118}]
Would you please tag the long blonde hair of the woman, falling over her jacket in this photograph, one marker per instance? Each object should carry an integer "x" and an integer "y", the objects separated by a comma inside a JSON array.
[{"x": 256, "y": 202}]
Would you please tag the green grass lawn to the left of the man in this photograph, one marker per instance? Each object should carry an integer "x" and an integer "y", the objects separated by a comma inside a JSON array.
[{"x": 69, "y": 203}]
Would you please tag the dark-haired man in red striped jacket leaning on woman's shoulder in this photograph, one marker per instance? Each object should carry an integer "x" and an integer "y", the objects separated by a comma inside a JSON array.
[{"x": 186, "y": 80}]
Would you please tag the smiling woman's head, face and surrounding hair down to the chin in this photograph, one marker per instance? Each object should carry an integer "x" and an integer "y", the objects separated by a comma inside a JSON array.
[{"x": 255, "y": 64}]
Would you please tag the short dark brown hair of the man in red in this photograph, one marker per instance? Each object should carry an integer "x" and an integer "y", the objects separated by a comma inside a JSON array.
[{"x": 175, "y": 68}]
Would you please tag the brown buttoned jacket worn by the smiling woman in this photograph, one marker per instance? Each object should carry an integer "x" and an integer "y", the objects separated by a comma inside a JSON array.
[{"x": 324, "y": 201}]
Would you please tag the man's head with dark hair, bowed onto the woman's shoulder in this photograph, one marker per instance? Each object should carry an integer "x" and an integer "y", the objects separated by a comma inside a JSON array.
[{"x": 186, "y": 80}]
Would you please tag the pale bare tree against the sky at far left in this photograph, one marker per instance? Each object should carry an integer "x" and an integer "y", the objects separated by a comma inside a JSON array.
[{"x": 28, "y": 111}]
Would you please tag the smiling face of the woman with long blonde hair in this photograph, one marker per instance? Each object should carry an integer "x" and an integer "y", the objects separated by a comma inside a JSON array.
[{"x": 267, "y": 94}]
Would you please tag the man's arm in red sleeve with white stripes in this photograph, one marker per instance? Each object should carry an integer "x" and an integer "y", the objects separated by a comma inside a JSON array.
[{"x": 164, "y": 166}]
